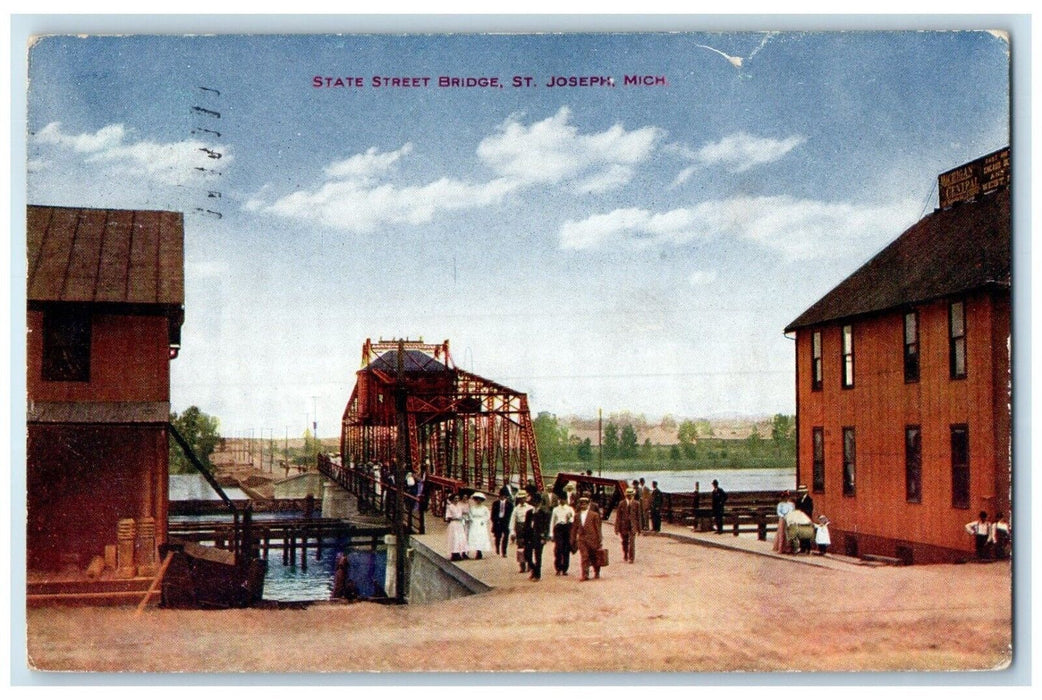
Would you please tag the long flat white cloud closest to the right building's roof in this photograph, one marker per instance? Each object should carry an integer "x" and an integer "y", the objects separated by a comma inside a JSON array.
[{"x": 798, "y": 230}]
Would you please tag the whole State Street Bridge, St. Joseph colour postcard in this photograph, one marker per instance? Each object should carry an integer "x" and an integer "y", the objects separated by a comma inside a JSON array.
[{"x": 339, "y": 343}]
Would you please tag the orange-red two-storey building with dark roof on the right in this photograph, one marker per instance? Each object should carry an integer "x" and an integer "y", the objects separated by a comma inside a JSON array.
[{"x": 903, "y": 386}]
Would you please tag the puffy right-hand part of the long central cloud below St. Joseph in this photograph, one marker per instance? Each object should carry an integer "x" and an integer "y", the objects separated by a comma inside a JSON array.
[{"x": 554, "y": 152}]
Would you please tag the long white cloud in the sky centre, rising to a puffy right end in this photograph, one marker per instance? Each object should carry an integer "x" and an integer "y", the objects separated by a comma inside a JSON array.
[{"x": 358, "y": 194}]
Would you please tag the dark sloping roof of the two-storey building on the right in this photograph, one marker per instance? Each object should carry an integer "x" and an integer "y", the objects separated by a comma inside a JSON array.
[{"x": 949, "y": 253}]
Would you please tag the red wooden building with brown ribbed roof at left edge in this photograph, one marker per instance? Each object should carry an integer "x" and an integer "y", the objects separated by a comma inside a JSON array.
[{"x": 106, "y": 306}]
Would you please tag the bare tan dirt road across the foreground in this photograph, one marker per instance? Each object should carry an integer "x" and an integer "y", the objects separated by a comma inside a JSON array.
[{"x": 681, "y": 608}]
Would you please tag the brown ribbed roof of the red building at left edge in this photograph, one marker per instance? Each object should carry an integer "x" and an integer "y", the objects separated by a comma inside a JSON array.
[{"x": 106, "y": 256}]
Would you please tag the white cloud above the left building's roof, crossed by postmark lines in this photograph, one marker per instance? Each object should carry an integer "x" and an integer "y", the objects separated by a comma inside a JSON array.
[{"x": 110, "y": 151}]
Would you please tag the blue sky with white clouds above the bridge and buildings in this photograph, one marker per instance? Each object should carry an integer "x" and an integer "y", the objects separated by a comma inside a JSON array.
[{"x": 604, "y": 246}]
